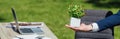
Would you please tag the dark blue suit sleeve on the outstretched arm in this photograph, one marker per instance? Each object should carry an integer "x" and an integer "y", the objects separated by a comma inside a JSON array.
[{"x": 109, "y": 21}]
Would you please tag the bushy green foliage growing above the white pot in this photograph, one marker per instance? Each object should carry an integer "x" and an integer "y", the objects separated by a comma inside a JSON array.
[{"x": 76, "y": 11}]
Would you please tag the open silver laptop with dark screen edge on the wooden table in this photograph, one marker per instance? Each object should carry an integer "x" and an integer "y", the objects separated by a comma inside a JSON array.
[{"x": 28, "y": 29}]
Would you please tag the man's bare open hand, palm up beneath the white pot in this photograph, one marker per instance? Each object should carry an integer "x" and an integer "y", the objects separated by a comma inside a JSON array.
[{"x": 83, "y": 27}]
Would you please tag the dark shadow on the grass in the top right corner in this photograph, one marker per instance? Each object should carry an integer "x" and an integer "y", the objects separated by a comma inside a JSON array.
[{"x": 105, "y": 4}]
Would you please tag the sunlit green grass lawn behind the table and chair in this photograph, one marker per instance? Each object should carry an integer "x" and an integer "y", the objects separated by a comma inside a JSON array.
[{"x": 52, "y": 12}]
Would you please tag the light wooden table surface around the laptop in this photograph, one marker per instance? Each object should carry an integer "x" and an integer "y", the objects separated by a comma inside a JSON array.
[{"x": 8, "y": 33}]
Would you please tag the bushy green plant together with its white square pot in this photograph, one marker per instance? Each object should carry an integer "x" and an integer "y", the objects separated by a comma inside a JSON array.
[{"x": 75, "y": 12}]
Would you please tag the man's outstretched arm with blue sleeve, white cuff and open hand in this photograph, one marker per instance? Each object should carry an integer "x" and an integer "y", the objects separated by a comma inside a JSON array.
[{"x": 100, "y": 25}]
